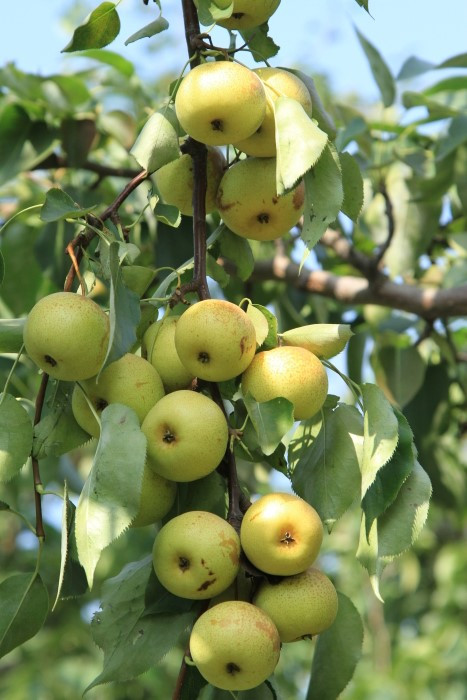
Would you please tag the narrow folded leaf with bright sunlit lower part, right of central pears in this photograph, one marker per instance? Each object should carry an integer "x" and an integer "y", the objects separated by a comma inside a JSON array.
[{"x": 380, "y": 433}]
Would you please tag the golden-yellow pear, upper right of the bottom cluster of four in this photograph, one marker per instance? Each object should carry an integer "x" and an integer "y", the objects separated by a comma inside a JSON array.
[{"x": 281, "y": 534}]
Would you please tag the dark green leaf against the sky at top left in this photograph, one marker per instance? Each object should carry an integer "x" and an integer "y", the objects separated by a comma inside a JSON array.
[{"x": 98, "y": 30}]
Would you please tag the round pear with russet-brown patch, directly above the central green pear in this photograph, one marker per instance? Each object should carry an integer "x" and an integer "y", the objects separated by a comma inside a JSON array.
[{"x": 215, "y": 340}]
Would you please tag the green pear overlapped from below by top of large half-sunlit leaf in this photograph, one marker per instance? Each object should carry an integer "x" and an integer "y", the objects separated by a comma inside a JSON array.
[{"x": 131, "y": 380}]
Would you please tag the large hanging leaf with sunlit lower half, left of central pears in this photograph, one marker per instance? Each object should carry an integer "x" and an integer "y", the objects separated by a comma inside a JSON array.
[{"x": 111, "y": 495}]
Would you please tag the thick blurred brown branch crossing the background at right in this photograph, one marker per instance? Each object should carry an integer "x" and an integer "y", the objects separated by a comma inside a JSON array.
[{"x": 424, "y": 302}]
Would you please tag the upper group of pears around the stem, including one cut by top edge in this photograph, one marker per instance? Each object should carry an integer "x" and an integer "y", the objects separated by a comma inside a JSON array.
[{"x": 223, "y": 103}]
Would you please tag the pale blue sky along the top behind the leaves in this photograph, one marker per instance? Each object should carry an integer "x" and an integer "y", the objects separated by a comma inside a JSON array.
[{"x": 318, "y": 34}]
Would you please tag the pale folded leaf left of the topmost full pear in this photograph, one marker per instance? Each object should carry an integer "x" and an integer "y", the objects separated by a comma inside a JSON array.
[{"x": 157, "y": 143}]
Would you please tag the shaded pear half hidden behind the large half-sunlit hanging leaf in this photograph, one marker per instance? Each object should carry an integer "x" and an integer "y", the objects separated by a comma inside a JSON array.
[{"x": 157, "y": 498}]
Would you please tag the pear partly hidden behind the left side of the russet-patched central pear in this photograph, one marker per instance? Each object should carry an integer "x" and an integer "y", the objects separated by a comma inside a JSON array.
[{"x": 159, "y": 347}]
